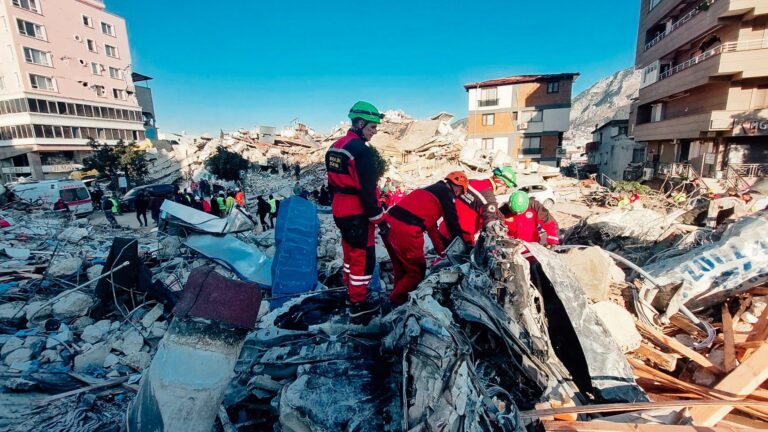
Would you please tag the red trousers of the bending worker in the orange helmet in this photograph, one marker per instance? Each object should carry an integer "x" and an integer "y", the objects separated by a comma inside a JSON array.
[{"x": 405, "y": 245}]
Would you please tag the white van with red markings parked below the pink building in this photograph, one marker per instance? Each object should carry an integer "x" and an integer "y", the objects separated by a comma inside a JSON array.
[{"x": 73, "y": 192}]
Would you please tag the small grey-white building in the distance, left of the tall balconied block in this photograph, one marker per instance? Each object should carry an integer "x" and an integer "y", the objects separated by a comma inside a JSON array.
[{"x": 612, "y": 151}]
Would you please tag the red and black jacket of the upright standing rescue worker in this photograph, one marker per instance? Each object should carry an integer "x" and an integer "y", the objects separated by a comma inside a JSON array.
[{"x": 352, "y": 175}]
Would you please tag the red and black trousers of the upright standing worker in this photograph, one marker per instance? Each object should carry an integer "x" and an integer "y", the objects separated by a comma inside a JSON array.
[{"x": 357, "y": 243}]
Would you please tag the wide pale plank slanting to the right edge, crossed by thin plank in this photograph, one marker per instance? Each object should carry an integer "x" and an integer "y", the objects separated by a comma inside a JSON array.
[{"x": 740, "y": 383}]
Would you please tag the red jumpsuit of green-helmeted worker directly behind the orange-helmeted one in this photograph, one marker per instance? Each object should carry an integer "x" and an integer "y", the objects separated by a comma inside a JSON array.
[{"x": 475, "y": 208}]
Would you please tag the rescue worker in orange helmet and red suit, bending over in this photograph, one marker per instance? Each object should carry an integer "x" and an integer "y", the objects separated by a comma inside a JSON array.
[{"x": 418, "y": 212}]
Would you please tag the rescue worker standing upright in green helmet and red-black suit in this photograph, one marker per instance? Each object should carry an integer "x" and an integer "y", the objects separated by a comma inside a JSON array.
[{"x": 353, "y": 178}]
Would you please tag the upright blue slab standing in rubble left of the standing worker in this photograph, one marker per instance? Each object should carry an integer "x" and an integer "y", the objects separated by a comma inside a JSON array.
[{"x": 294, "y": 266}]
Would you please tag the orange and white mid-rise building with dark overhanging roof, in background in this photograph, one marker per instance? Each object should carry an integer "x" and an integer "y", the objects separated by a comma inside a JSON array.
[{"x": 523, "y": 116}]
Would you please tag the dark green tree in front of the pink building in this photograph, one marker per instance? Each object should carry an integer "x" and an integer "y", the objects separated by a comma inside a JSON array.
[{"x": 118, "y": 159}]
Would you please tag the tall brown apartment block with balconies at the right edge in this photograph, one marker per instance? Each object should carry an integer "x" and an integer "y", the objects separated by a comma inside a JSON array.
[{"x": 703, "y": 102}]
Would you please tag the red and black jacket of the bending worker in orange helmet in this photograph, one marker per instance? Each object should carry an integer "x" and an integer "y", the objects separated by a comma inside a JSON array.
[{"x": 424, "y": 208}]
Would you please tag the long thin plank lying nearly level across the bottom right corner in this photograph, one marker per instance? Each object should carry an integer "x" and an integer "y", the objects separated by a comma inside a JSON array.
[{"x": 637, "y": 406}]
